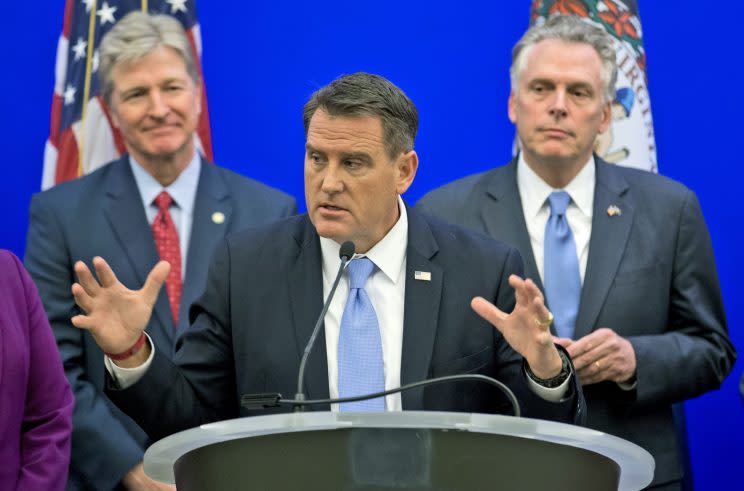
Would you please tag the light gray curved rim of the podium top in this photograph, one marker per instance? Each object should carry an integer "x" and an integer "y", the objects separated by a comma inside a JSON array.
[{"x": 636, "y": 465}]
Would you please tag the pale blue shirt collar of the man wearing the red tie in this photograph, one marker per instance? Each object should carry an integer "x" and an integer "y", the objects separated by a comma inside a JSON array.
[{"x": 182, "y": 190}]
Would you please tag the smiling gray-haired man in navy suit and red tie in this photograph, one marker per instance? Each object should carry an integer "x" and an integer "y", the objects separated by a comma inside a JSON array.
[{"x": 161, "y": 201}]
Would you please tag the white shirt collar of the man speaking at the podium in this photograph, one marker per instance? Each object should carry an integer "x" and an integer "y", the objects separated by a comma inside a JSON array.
[{"x": 388, "y": 254}]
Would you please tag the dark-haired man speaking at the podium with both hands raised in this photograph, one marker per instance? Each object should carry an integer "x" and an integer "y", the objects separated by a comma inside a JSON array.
[{"x": 403, "y": 312}]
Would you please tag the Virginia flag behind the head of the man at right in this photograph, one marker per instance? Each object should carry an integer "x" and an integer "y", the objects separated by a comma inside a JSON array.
[{"x": 630, "y": 139}]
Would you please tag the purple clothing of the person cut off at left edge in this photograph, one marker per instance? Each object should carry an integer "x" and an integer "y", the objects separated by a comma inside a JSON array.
[{"x": 35, "y": 398}]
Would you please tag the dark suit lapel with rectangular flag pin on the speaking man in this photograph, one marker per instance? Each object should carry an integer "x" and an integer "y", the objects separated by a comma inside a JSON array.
[{"x": 422, "y": 299}]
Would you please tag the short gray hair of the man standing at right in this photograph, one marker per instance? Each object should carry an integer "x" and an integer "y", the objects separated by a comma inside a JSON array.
[{"x": 571, "y": 29}]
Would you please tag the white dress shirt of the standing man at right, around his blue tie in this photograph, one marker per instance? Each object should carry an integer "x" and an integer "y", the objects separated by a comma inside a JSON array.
[{"x": 534, "y": 193}]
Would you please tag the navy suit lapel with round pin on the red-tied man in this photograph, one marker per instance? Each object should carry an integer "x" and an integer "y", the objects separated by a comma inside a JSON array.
[{"x": 212, "y": 217}]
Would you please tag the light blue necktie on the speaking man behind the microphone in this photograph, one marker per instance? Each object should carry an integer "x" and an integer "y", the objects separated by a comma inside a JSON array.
[{"x": 360, "y": 368}]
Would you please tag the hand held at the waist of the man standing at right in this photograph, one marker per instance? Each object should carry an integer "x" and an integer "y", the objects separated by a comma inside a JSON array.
[{"x": 601, "y": 355}]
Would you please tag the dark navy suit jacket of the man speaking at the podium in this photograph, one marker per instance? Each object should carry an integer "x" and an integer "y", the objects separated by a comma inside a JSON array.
[{"x": 264, "y": 294}]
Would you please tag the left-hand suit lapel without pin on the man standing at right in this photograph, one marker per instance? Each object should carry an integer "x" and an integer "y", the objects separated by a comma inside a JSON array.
[{"x": 503, "y": 216}]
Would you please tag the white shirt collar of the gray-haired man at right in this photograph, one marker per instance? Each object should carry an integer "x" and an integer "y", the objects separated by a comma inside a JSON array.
[{"x": 534, "y": 191}]
